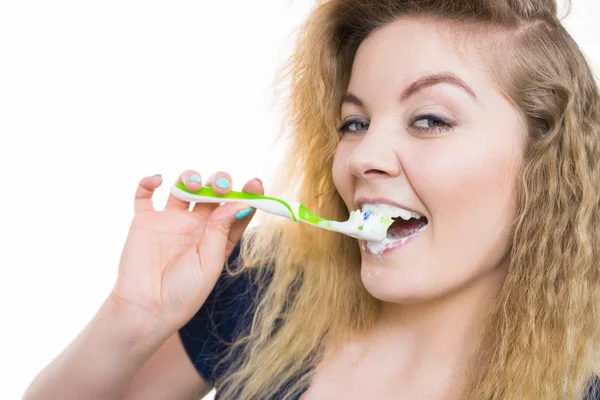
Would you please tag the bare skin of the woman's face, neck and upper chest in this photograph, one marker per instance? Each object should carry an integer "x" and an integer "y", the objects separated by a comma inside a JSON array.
[{"x": 438, "y": 288}]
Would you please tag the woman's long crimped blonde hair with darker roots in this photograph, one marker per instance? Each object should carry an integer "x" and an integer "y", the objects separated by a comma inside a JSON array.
[{"x": 541, "y": 339}]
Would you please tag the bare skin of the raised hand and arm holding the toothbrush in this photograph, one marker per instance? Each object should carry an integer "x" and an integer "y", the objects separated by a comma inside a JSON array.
[{"x": 169, "y": 264}]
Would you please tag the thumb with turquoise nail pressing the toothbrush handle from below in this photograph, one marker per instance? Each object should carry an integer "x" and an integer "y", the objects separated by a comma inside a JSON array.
[{"x": 212, "y": 248}]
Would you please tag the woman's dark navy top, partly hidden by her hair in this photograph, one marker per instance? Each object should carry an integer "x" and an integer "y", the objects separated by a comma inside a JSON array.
[{"x": 227, "y": 311}]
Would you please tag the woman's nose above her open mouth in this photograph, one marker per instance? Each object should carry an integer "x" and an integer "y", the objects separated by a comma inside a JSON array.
[{"x": 374, "y": 155}]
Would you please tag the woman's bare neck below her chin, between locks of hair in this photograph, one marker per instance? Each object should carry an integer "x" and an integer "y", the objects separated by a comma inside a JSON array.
[{"x": 435, "y": 338}]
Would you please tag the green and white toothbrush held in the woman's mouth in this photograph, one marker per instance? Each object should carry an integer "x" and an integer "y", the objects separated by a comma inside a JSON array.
[{"x": 364, "y": 226}]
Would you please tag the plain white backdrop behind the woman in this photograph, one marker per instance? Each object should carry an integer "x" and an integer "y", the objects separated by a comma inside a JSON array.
[{"x": 96, "y": 95}]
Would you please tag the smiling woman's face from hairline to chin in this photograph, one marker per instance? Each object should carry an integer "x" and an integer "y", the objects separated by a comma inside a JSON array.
[{"x": 425, "y": 130}]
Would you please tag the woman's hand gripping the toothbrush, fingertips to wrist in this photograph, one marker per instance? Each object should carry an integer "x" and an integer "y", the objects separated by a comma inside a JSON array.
[{"x": 173, "y": 258}]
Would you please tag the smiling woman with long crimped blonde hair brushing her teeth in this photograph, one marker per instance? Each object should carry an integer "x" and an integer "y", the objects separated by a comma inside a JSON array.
[{"x": 481, "y": 116}]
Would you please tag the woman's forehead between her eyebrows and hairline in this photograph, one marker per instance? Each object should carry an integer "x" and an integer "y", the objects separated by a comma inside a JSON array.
[{"x": 402, "y": 51}]
